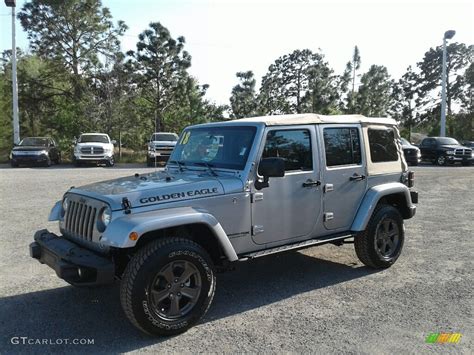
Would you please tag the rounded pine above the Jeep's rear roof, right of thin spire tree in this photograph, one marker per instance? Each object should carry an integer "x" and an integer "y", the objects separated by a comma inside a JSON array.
[{"x": 373, "y": 98}]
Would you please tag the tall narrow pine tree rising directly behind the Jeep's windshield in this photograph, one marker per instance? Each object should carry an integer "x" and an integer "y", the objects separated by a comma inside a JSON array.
[{"x": 161, "y": 65}]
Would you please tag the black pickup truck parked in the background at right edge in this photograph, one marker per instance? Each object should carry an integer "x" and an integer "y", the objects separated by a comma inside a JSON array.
[{"x": 444, "y": 150}]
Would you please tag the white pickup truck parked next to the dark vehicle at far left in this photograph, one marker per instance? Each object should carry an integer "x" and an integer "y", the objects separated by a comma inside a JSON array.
[{"x": 94, "y": 148}]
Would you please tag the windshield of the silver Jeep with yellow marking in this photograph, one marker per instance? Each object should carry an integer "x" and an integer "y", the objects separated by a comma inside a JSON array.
[{"x": 219, "y": 147}]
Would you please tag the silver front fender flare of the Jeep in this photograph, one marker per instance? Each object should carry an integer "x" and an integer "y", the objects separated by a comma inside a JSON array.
[{"x": 117, "y": 233}]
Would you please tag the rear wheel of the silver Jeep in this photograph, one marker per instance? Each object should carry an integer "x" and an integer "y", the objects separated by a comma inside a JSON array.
[{"x": 380, "y": 245}]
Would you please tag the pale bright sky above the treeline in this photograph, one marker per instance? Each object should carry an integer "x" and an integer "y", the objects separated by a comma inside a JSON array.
[{"x": 227, "y": 36}]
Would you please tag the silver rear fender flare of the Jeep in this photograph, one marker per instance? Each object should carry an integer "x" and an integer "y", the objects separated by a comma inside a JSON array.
[{"x": 372, "y": 197}]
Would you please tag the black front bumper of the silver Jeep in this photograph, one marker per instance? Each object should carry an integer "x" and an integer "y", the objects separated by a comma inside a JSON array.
[{"x": 73, "y": 263}]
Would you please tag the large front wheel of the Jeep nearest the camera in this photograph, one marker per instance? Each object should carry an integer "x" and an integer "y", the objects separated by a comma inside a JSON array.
[{"x": 168, "y": 286}]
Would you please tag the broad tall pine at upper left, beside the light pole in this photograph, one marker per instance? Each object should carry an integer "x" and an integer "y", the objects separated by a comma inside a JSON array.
[{"x": 74, "y": 33}]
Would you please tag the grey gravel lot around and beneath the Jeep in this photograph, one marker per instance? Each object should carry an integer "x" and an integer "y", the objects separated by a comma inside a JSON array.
[{"x": 319, "y": 300}]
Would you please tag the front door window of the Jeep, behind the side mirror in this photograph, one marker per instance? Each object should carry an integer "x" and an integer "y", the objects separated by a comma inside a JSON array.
[{"x": 294, "y": 146}]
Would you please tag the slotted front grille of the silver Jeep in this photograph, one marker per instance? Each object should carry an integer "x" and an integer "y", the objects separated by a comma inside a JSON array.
[{"x": 80, "y": 220}]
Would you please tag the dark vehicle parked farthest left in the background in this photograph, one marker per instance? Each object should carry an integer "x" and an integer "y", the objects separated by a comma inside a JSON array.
[{"x": 35, "y": 150}]
